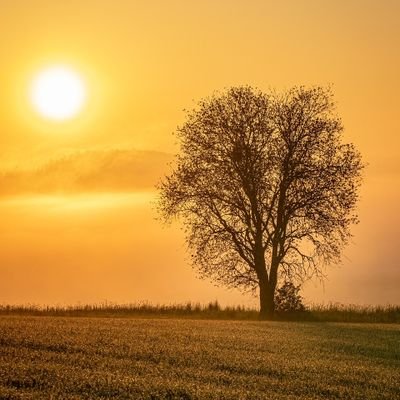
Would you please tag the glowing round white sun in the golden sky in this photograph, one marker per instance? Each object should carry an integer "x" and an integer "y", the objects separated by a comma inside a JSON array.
[{"x": 58, "y": 93}]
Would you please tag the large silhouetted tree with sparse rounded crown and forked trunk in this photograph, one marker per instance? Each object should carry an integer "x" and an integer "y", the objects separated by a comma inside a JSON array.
[{"x": 264, "y": 186}]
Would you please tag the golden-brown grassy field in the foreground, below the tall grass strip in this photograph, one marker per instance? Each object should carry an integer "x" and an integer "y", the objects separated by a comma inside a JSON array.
[{"x": 126, "y": 358}]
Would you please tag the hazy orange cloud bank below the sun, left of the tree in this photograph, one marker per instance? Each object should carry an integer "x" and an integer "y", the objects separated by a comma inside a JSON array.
[{"x": 89, "y": 171}]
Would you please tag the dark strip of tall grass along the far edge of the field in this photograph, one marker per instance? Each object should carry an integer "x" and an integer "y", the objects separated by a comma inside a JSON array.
[{"x": 324, "y": 313}]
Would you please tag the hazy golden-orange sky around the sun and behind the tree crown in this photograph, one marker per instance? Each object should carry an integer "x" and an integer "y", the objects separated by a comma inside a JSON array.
[{"x": 77, "y": 197}]
